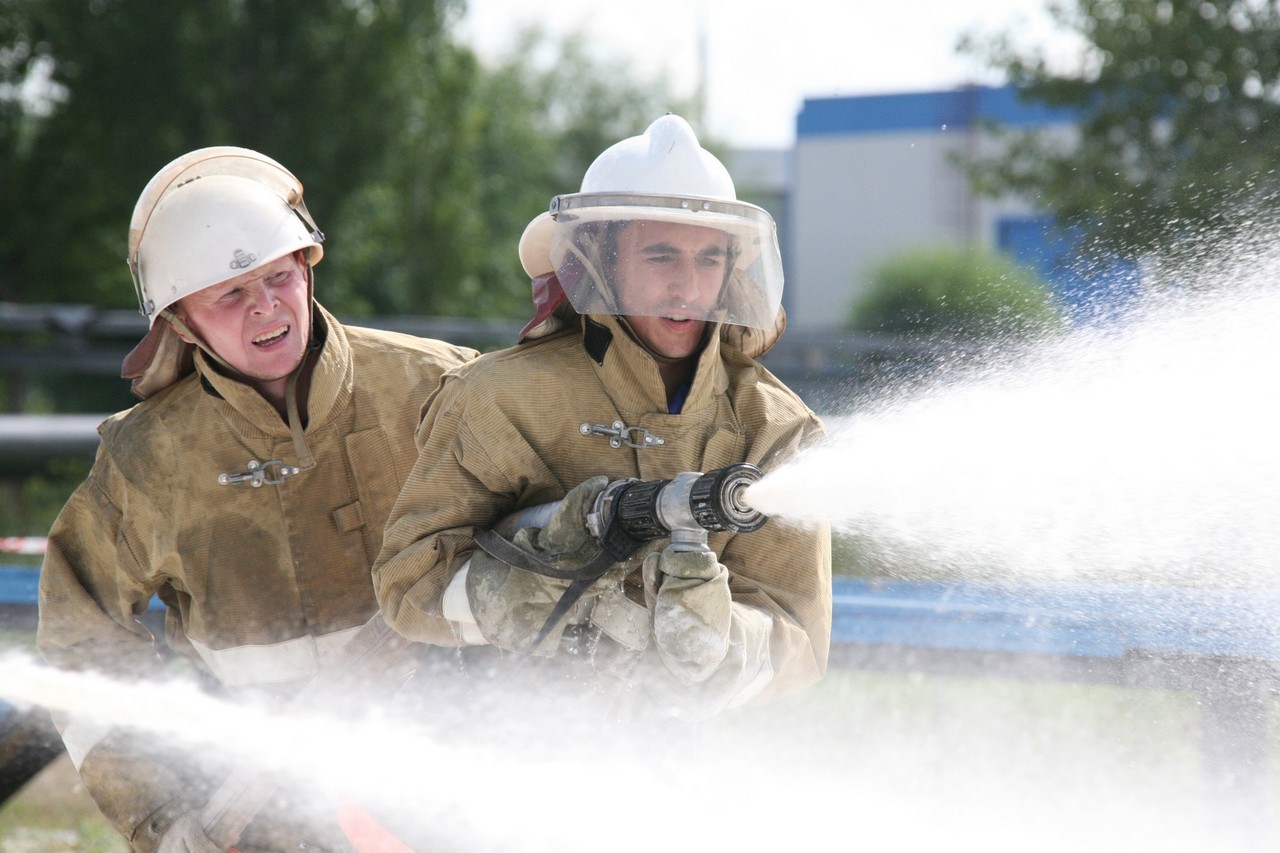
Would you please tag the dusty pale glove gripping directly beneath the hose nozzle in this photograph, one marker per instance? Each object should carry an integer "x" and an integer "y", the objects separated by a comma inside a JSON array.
[{"x": 688, "y": 594}]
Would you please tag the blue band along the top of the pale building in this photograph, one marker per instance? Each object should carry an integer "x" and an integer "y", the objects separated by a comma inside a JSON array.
[{"x": 956, "y": 110}]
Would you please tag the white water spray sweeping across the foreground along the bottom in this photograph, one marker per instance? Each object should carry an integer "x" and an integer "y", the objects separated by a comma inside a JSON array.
[{"x": 747, "y": 788}]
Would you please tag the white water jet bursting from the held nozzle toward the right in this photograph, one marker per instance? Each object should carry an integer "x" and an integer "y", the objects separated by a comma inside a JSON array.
[{"x": 1145, "y": 451}]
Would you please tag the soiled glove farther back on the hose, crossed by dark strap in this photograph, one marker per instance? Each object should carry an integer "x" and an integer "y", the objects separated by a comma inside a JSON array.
[{"x": 511, "y": 605}]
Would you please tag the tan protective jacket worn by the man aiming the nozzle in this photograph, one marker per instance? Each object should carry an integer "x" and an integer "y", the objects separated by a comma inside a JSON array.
[{"x": 506, "y": 432}]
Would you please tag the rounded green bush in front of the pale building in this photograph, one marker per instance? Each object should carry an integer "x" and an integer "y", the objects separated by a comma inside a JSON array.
[{"x": 954, "y": 291}]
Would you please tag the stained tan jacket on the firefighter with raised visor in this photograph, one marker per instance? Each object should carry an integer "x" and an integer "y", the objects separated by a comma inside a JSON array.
[{"x": 262, "y": 585}]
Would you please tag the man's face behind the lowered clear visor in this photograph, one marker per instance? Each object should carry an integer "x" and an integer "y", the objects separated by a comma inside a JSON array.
[{"x": 669, "y": 279}]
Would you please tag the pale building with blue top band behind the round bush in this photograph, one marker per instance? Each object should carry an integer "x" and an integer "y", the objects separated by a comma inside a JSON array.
[{"x": 879, "y": 175}]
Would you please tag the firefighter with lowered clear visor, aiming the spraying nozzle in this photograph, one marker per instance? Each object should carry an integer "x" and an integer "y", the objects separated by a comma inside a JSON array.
[{"x": 656, "y": 291}]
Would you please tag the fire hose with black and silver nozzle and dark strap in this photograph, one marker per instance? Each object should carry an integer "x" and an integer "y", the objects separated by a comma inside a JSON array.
[{"x": 628, "y": 514}]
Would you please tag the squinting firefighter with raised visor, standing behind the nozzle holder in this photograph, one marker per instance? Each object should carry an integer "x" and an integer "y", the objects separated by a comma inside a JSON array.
[{"x": 249, "y": 490}]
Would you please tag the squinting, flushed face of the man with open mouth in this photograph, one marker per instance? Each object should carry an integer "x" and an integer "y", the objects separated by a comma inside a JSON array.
[{"x": 259, "y": 322}]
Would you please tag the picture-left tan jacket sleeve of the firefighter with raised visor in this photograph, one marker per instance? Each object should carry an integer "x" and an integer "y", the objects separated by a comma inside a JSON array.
[{"x": 92, "y": 595}]
